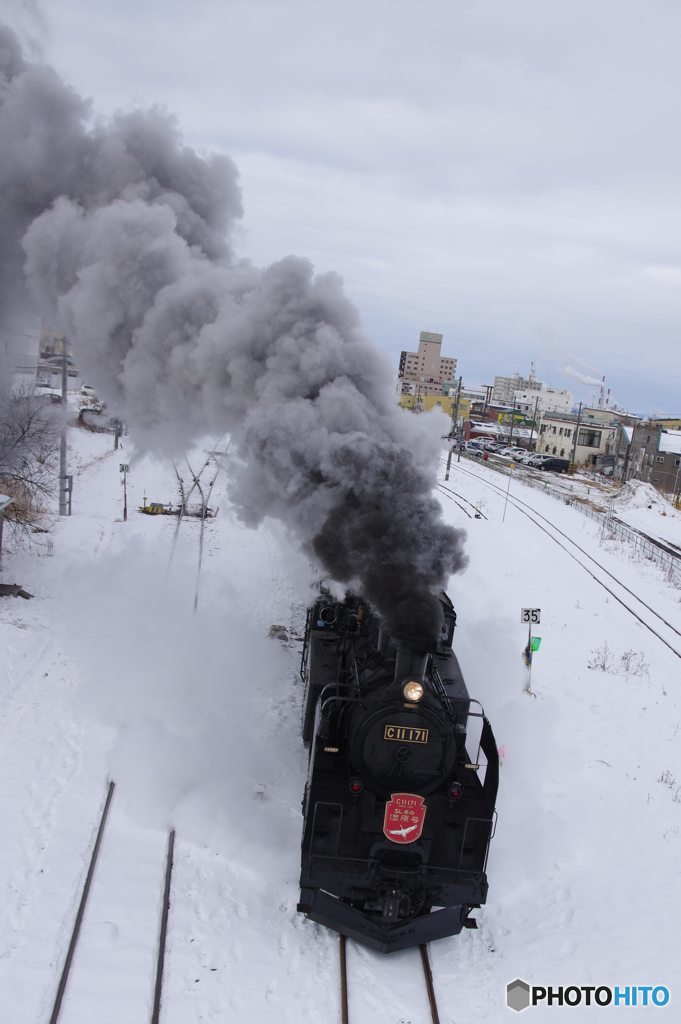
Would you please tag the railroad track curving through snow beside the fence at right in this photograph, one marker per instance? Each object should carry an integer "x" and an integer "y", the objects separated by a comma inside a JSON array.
[{"x": 649, "y": 617}]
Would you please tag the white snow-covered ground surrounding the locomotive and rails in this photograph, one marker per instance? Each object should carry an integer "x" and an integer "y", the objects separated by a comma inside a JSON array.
[{"x": 108, "y": 673}]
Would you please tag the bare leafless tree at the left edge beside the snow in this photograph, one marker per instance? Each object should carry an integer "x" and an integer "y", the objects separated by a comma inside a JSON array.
[{"x": 29, "y": 457}]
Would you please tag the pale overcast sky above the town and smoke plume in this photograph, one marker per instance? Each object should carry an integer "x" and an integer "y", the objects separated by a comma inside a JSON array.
[{"x": 505, "y": 173}]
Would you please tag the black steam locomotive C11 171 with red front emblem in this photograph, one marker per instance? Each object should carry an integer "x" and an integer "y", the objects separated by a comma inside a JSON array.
[{"x": 400, "y": 802}]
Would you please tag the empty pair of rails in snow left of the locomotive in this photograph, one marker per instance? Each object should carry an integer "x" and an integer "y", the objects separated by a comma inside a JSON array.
[{"x": 81, "y": 914}]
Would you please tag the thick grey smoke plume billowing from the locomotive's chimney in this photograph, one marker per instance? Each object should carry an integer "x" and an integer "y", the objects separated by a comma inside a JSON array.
[{"x": 123, "y": 233}]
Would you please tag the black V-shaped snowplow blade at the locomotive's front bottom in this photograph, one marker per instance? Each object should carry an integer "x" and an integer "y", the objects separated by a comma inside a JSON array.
[{"x": 325, "y": 910}]
